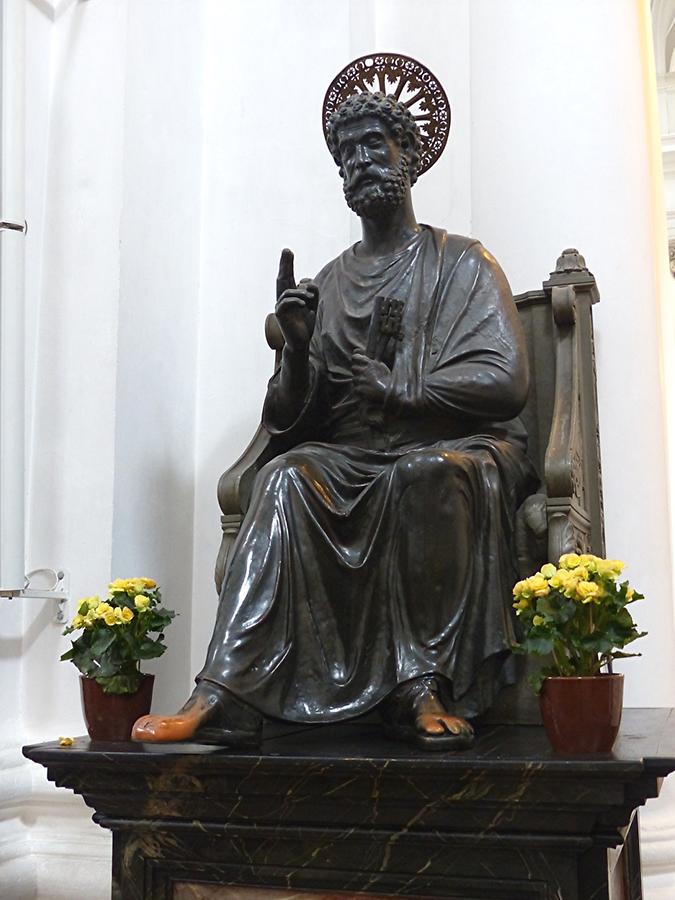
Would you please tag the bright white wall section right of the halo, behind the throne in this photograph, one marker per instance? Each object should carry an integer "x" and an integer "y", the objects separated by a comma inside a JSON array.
[{"x": 577, "y": 172}]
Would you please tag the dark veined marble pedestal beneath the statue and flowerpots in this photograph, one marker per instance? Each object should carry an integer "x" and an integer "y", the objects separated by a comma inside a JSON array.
[{"x": 338, "y": 812}]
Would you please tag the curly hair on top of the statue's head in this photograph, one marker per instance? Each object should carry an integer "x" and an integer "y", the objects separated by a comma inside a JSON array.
[{"x": 387, "y": 109}]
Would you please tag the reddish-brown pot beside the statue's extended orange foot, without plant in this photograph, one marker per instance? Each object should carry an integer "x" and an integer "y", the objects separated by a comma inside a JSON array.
[{"x": 110, "y": 717}]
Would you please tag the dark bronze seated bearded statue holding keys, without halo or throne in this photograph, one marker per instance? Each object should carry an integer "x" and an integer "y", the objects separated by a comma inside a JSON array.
[{"x": 374, "y": 567}]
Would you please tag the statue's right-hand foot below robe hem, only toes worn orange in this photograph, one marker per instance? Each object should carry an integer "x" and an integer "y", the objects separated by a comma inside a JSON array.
[{"x": 415, "y": 713}]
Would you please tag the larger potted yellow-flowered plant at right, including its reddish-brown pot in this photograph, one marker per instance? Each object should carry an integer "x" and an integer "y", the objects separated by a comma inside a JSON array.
[{"x": 576, "y": 613}]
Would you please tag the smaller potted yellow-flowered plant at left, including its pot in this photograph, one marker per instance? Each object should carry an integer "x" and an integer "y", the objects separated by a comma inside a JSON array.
[{"x": 116, "y": 634}]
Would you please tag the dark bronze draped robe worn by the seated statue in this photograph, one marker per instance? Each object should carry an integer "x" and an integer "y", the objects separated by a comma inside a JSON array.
[{"x": 380, "y": 546}]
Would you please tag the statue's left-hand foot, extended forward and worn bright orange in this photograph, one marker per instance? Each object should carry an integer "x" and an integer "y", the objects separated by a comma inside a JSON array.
[{"x": 212, "y": 715}]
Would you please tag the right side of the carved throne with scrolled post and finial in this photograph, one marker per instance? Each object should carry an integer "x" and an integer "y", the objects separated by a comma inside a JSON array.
[{"x": 561, "y": 418}]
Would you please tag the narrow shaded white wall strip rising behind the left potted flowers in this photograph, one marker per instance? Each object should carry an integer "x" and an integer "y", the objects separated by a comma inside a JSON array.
[{"x": 159, "y": 273}]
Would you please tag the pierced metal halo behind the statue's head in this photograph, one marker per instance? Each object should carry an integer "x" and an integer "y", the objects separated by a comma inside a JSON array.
[{"x": 409, "y": 82}]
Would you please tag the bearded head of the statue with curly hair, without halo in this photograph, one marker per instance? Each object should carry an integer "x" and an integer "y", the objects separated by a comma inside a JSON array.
[{"x": 376, "y": 144}]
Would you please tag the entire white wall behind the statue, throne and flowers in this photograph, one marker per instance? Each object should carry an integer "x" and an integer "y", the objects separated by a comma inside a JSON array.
[{"x": 173, "y": 149}]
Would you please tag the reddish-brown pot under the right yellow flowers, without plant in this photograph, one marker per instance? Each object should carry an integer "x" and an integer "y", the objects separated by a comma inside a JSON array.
[{"x": 582, "y": 715}]
